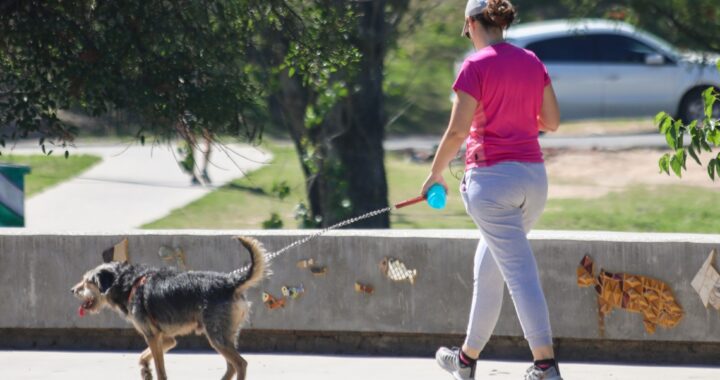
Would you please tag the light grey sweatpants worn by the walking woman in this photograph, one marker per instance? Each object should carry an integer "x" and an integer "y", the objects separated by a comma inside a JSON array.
[{"x": 505, "y": 200}]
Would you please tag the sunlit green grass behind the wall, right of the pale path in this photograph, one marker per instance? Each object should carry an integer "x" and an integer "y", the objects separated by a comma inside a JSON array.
[{"x": 246, "y": 203}]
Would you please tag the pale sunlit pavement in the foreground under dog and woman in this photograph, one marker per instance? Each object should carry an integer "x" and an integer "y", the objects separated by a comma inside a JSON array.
[{"x": 73, "y": 365}]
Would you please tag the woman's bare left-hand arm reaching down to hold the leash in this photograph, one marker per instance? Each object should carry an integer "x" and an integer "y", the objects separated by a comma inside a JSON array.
[{"x": 455, "y": 135}]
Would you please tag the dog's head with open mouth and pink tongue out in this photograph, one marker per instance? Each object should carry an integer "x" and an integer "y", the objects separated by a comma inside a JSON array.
[{"x": 94, "y": 286}]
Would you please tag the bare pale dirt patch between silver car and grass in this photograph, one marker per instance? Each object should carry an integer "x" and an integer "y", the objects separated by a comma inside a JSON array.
[{"x": 593, "y": 174}]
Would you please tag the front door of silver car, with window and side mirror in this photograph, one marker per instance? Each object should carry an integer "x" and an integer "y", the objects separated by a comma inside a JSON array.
[{"x": 640, "y": 79}]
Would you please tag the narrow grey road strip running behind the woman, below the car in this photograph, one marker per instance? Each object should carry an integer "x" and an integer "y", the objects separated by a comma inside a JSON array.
[{"x": 574, "y": 142}]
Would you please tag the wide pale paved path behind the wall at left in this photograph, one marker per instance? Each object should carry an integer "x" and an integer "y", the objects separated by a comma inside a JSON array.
[{"x": 133, "y": 185}]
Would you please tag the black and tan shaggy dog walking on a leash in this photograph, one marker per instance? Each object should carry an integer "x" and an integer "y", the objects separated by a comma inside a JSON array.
[{"x": 162, "y": 303}]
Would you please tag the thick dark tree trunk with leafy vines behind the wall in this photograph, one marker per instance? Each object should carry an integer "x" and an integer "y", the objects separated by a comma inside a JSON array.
[{"x": 338, "y": 130}]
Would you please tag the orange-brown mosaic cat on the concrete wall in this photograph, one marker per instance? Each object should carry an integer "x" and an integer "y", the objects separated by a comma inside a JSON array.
[{"x": 638, "y": 294}]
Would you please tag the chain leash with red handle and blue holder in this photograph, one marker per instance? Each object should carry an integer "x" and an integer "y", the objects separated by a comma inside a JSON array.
[{"x": 435, "y": 197}]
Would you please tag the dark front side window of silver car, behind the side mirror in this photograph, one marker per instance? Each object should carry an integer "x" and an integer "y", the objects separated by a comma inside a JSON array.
[{"x": 619, "y": 49}]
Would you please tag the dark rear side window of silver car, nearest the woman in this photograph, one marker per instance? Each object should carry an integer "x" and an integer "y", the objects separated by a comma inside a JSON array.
[{"x": 570, "y": 49}]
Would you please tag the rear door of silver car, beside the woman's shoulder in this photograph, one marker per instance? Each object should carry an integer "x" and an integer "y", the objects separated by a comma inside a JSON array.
[{"x": 576, "y": 72}]
